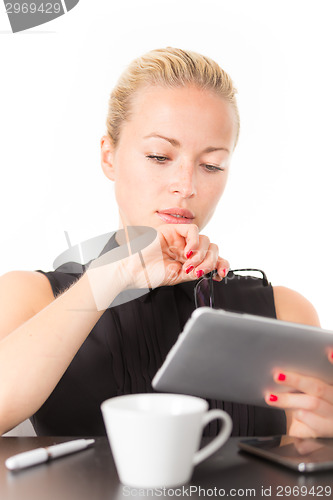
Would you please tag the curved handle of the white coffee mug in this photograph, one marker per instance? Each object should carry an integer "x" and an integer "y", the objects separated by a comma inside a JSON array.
[{"x": 219, "y": 440}]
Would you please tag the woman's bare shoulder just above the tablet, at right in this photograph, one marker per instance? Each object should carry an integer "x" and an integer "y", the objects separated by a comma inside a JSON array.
[{"x": 292, "y": 306}]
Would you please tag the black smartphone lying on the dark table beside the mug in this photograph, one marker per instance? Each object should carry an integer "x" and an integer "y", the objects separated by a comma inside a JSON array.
[{"x": 304, "y": 455}]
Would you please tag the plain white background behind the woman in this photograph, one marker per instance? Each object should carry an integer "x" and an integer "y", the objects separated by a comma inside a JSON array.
[{"x": 55, "y": 82}]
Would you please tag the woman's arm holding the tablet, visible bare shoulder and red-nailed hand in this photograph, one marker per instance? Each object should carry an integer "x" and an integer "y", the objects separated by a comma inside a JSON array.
[{"x": 309, "y": 414}]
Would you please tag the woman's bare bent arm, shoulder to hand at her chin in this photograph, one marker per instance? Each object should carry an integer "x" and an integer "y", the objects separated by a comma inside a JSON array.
[{"x": 40, "y": 335}]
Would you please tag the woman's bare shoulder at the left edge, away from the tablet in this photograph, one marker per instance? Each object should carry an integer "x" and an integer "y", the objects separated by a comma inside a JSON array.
[{"x": 22, "y": 295}]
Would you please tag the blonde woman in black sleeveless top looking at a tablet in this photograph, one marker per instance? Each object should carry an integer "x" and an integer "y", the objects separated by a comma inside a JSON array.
[{"x": 172, "y": 127}]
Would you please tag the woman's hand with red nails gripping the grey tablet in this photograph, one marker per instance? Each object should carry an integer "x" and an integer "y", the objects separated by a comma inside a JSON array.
[{"x": 311, "y": 409}]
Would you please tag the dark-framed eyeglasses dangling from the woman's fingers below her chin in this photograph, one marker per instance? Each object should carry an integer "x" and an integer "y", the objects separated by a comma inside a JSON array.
[{"x": 204, "y": 290}]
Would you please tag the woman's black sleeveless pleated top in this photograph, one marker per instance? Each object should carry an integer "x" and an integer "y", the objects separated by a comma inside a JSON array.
[{"x": 129, "y": 344}]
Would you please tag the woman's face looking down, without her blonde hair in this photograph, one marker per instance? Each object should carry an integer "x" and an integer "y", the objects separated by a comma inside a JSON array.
[{"x": 172, "y": 159}]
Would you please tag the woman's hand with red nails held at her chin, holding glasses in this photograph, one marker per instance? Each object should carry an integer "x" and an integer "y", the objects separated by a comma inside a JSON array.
[{"x": 178, "y": 254}]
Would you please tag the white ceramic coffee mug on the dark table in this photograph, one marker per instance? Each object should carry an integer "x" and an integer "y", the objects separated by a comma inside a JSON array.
[{"x": 154, "y": 438}]
